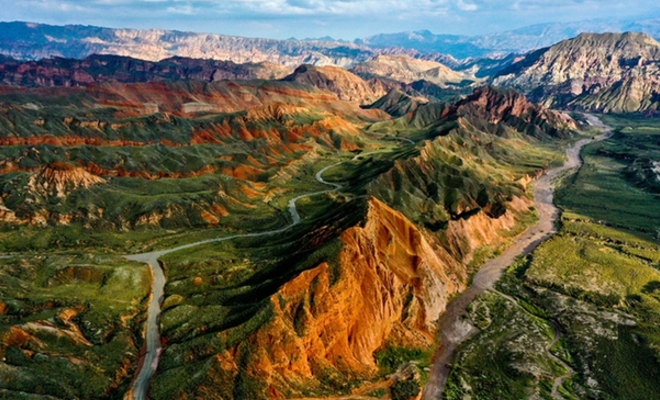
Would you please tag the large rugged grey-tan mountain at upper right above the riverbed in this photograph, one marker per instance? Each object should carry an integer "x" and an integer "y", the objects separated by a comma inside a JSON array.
[{"x": 603, "y": 72}]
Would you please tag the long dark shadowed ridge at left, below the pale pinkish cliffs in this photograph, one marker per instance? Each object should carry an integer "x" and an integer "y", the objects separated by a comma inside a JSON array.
[{"x": 108, "y": 68}]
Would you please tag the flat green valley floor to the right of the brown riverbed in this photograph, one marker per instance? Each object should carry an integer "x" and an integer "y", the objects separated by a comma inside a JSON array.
[{"x": 578, "y": 317}]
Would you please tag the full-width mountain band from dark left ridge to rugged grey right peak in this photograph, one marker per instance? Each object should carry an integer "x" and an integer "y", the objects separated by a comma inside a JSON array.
[{"x": 610, "y": 72}]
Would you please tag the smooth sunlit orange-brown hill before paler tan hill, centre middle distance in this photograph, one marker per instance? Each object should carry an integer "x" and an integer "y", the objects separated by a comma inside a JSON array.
[{"x": 346, "y": 85}]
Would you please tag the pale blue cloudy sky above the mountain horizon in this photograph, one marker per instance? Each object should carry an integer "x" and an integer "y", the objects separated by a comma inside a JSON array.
[{"x": 340, "y": 19}]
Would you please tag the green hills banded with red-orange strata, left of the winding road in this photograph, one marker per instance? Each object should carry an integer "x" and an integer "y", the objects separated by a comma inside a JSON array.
[{"x": 177, "y": 154}]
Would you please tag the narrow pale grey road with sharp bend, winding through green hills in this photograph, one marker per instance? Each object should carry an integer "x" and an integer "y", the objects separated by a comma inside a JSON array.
[{"x": 149, "y": 362}]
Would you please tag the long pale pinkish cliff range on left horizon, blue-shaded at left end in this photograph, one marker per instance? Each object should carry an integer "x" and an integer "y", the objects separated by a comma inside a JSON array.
[{"x": 34, "y": 41}]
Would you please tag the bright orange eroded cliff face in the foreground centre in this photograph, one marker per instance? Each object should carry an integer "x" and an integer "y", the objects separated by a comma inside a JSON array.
[{"x": 391, "y": 284}]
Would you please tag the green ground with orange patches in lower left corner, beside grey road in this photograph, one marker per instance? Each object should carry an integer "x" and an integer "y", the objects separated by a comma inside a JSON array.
[{"x": 70, "y": 326}]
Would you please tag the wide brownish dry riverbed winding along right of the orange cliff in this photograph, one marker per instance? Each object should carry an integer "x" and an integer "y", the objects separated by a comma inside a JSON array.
[{"x": 453, "y": 330}]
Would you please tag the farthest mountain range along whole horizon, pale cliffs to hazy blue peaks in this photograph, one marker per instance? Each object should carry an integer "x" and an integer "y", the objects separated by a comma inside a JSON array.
[{"x": 31, "y": 41}]
